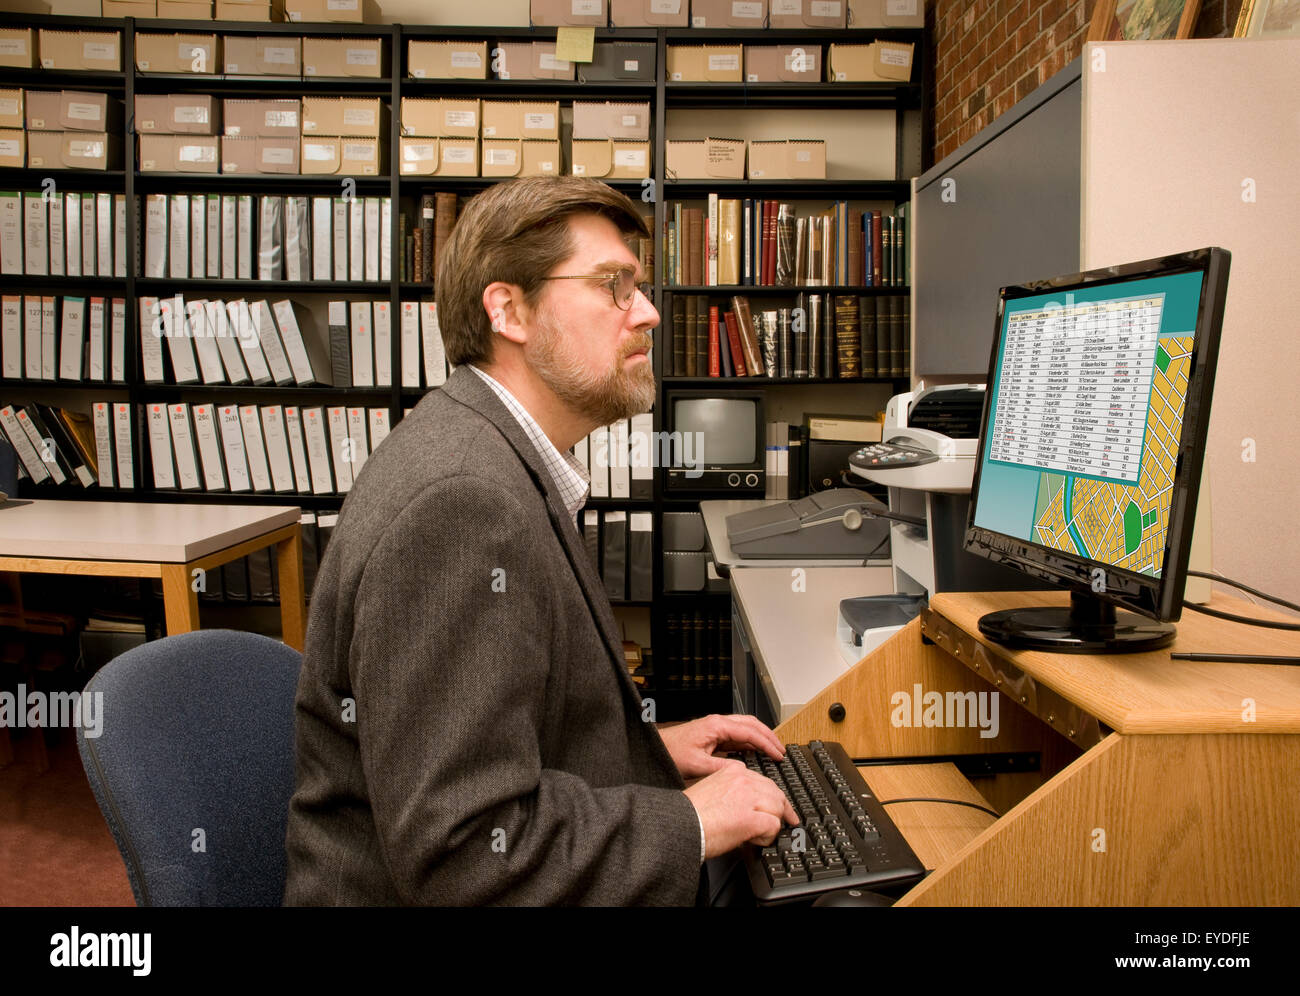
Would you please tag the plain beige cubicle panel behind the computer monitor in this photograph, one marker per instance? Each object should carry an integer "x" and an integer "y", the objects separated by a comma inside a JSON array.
[{"x": 1197, "y": 144}]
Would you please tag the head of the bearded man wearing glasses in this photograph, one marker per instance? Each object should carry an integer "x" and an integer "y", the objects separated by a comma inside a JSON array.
[{"x": 535, "y": 283}]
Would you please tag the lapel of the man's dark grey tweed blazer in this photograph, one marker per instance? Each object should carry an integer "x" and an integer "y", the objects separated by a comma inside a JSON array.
[{"x": 470, "y": 389}]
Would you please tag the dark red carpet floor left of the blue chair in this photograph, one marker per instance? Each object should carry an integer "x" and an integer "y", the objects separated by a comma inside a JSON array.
[{"x": 55, "y": 848}]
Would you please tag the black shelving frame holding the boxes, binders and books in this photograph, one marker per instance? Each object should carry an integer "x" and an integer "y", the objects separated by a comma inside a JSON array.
[{"x": 908, "y": 105}]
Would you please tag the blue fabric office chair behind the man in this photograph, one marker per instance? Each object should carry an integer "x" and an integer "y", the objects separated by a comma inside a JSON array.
[{"x": 194, "y": 767}]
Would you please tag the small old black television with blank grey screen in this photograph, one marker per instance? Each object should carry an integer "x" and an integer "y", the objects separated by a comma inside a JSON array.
[{"x": 716, "y": 441}]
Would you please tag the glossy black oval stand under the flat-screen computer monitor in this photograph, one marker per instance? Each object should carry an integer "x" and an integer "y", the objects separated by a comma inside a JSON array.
[{"x": 1090, "y": 626}]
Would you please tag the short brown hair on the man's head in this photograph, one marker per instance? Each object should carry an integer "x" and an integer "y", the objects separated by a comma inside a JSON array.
[{"x": 515, "y": 232}]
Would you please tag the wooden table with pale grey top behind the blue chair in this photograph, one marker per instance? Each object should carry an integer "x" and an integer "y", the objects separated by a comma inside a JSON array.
[{"x": 157, "y": 540}]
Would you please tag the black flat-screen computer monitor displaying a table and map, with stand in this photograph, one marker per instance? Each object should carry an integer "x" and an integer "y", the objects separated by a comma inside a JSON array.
[{"x": 1091, "y": 448}]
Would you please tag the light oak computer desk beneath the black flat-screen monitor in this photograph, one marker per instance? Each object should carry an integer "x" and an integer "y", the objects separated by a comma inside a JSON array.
[{"x": 1162, "y": 782}]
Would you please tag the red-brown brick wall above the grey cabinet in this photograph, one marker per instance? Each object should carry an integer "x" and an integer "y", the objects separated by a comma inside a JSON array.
[{"x": 990, "y": 54}]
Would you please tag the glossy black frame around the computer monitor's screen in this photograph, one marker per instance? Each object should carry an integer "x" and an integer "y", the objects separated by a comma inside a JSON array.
[{"x": 1155, "y": 597}]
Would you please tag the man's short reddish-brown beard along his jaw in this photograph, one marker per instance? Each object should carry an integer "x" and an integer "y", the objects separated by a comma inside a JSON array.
[{"x": 604, "y": 399}]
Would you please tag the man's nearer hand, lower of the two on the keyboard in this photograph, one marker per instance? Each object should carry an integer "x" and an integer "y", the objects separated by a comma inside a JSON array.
[{"x": 736, "y": 806}]
